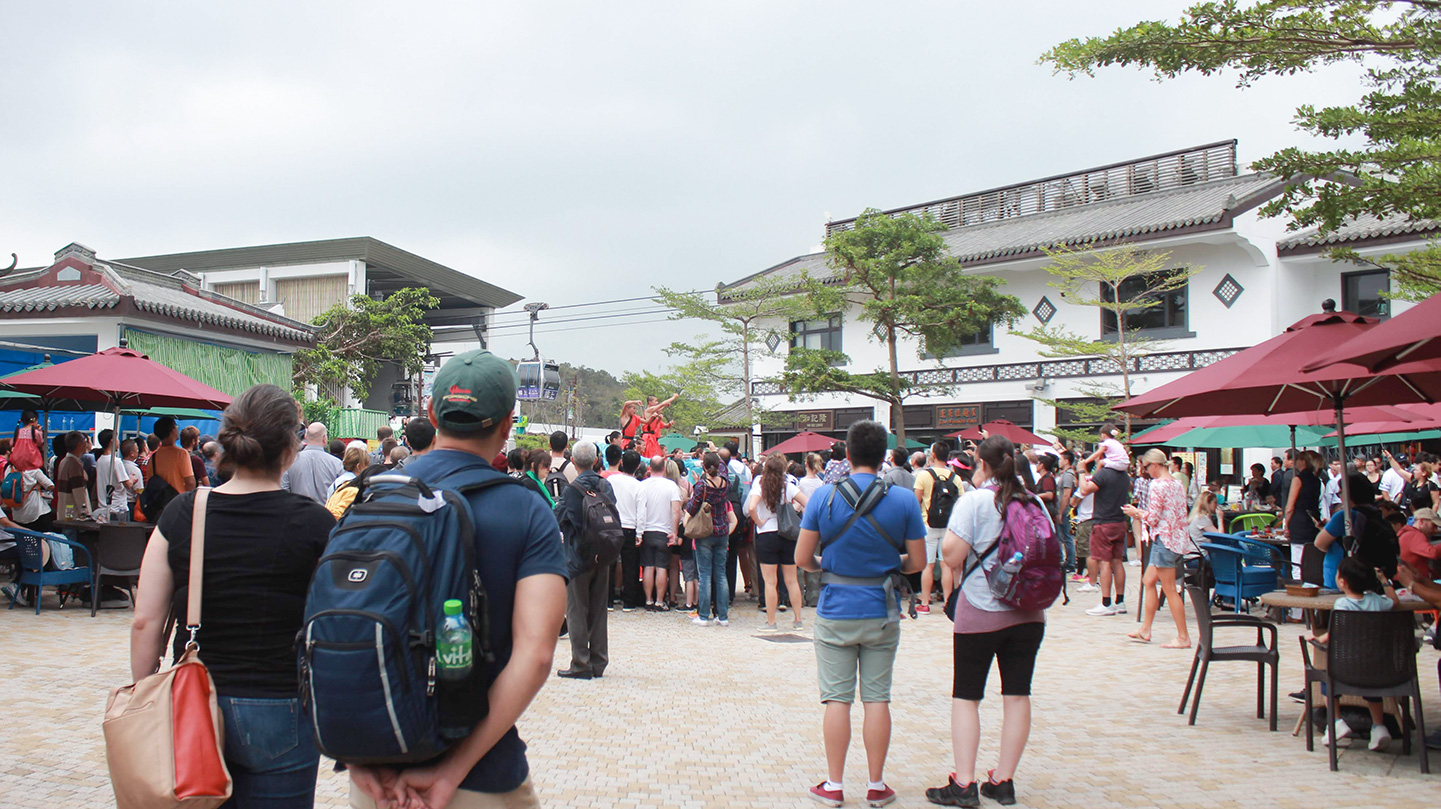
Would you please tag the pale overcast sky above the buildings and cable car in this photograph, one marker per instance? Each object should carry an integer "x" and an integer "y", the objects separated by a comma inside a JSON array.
[{"x": 568, "y": 151}]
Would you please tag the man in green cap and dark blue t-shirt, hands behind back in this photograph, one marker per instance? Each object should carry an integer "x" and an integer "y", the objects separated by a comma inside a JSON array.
[{"x": 521, "y": 563}]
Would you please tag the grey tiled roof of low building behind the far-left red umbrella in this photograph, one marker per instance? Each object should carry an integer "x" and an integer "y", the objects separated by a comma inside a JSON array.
[{"x": 152, "y": 292}]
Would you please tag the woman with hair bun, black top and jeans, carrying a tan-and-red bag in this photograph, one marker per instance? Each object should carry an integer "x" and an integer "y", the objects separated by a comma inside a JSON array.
[{"x": 262, "y": 547}]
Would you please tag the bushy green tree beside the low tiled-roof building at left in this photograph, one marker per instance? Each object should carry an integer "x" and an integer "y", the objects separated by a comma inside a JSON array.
[{"x": 357, "y": 337}]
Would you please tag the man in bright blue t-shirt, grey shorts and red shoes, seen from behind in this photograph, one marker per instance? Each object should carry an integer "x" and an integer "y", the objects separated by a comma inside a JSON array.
[{"x": 858, "y": 616}]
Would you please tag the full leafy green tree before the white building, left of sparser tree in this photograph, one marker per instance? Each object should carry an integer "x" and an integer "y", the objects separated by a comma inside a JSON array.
[{"x": 906, "y": 285}]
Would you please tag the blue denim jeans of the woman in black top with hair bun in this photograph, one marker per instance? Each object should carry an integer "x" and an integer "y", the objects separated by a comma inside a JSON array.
[{"x": 272, "y": 753}]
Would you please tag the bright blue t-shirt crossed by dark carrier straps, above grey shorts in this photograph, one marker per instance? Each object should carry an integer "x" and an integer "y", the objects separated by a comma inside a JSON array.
[{"x": 862, "y": 552}]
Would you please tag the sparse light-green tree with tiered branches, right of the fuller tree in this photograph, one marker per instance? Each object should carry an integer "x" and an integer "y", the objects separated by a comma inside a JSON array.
[{"x": 1093, "y": 279}]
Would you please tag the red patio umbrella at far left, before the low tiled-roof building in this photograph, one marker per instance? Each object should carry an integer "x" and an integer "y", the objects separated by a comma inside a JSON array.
[{"x": 117, "y": 380}]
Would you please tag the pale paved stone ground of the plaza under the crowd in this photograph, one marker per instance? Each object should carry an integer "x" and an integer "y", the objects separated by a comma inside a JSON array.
[{"x": 698, "y": 717}]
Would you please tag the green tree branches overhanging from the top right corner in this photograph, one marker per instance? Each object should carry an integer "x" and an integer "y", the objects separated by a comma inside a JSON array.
[{"x": 1394, "y": 171}]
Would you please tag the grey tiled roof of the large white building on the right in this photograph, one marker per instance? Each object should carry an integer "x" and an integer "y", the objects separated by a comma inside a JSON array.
[{"x": 1132, "y": 218}]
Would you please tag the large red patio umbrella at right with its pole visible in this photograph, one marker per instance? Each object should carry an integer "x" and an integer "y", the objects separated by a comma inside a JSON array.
[{"x": 1267, "y": 380}]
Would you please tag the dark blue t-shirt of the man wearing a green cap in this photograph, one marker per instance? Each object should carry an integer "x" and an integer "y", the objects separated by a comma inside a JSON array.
[{"x": 517, "y": 537}]
